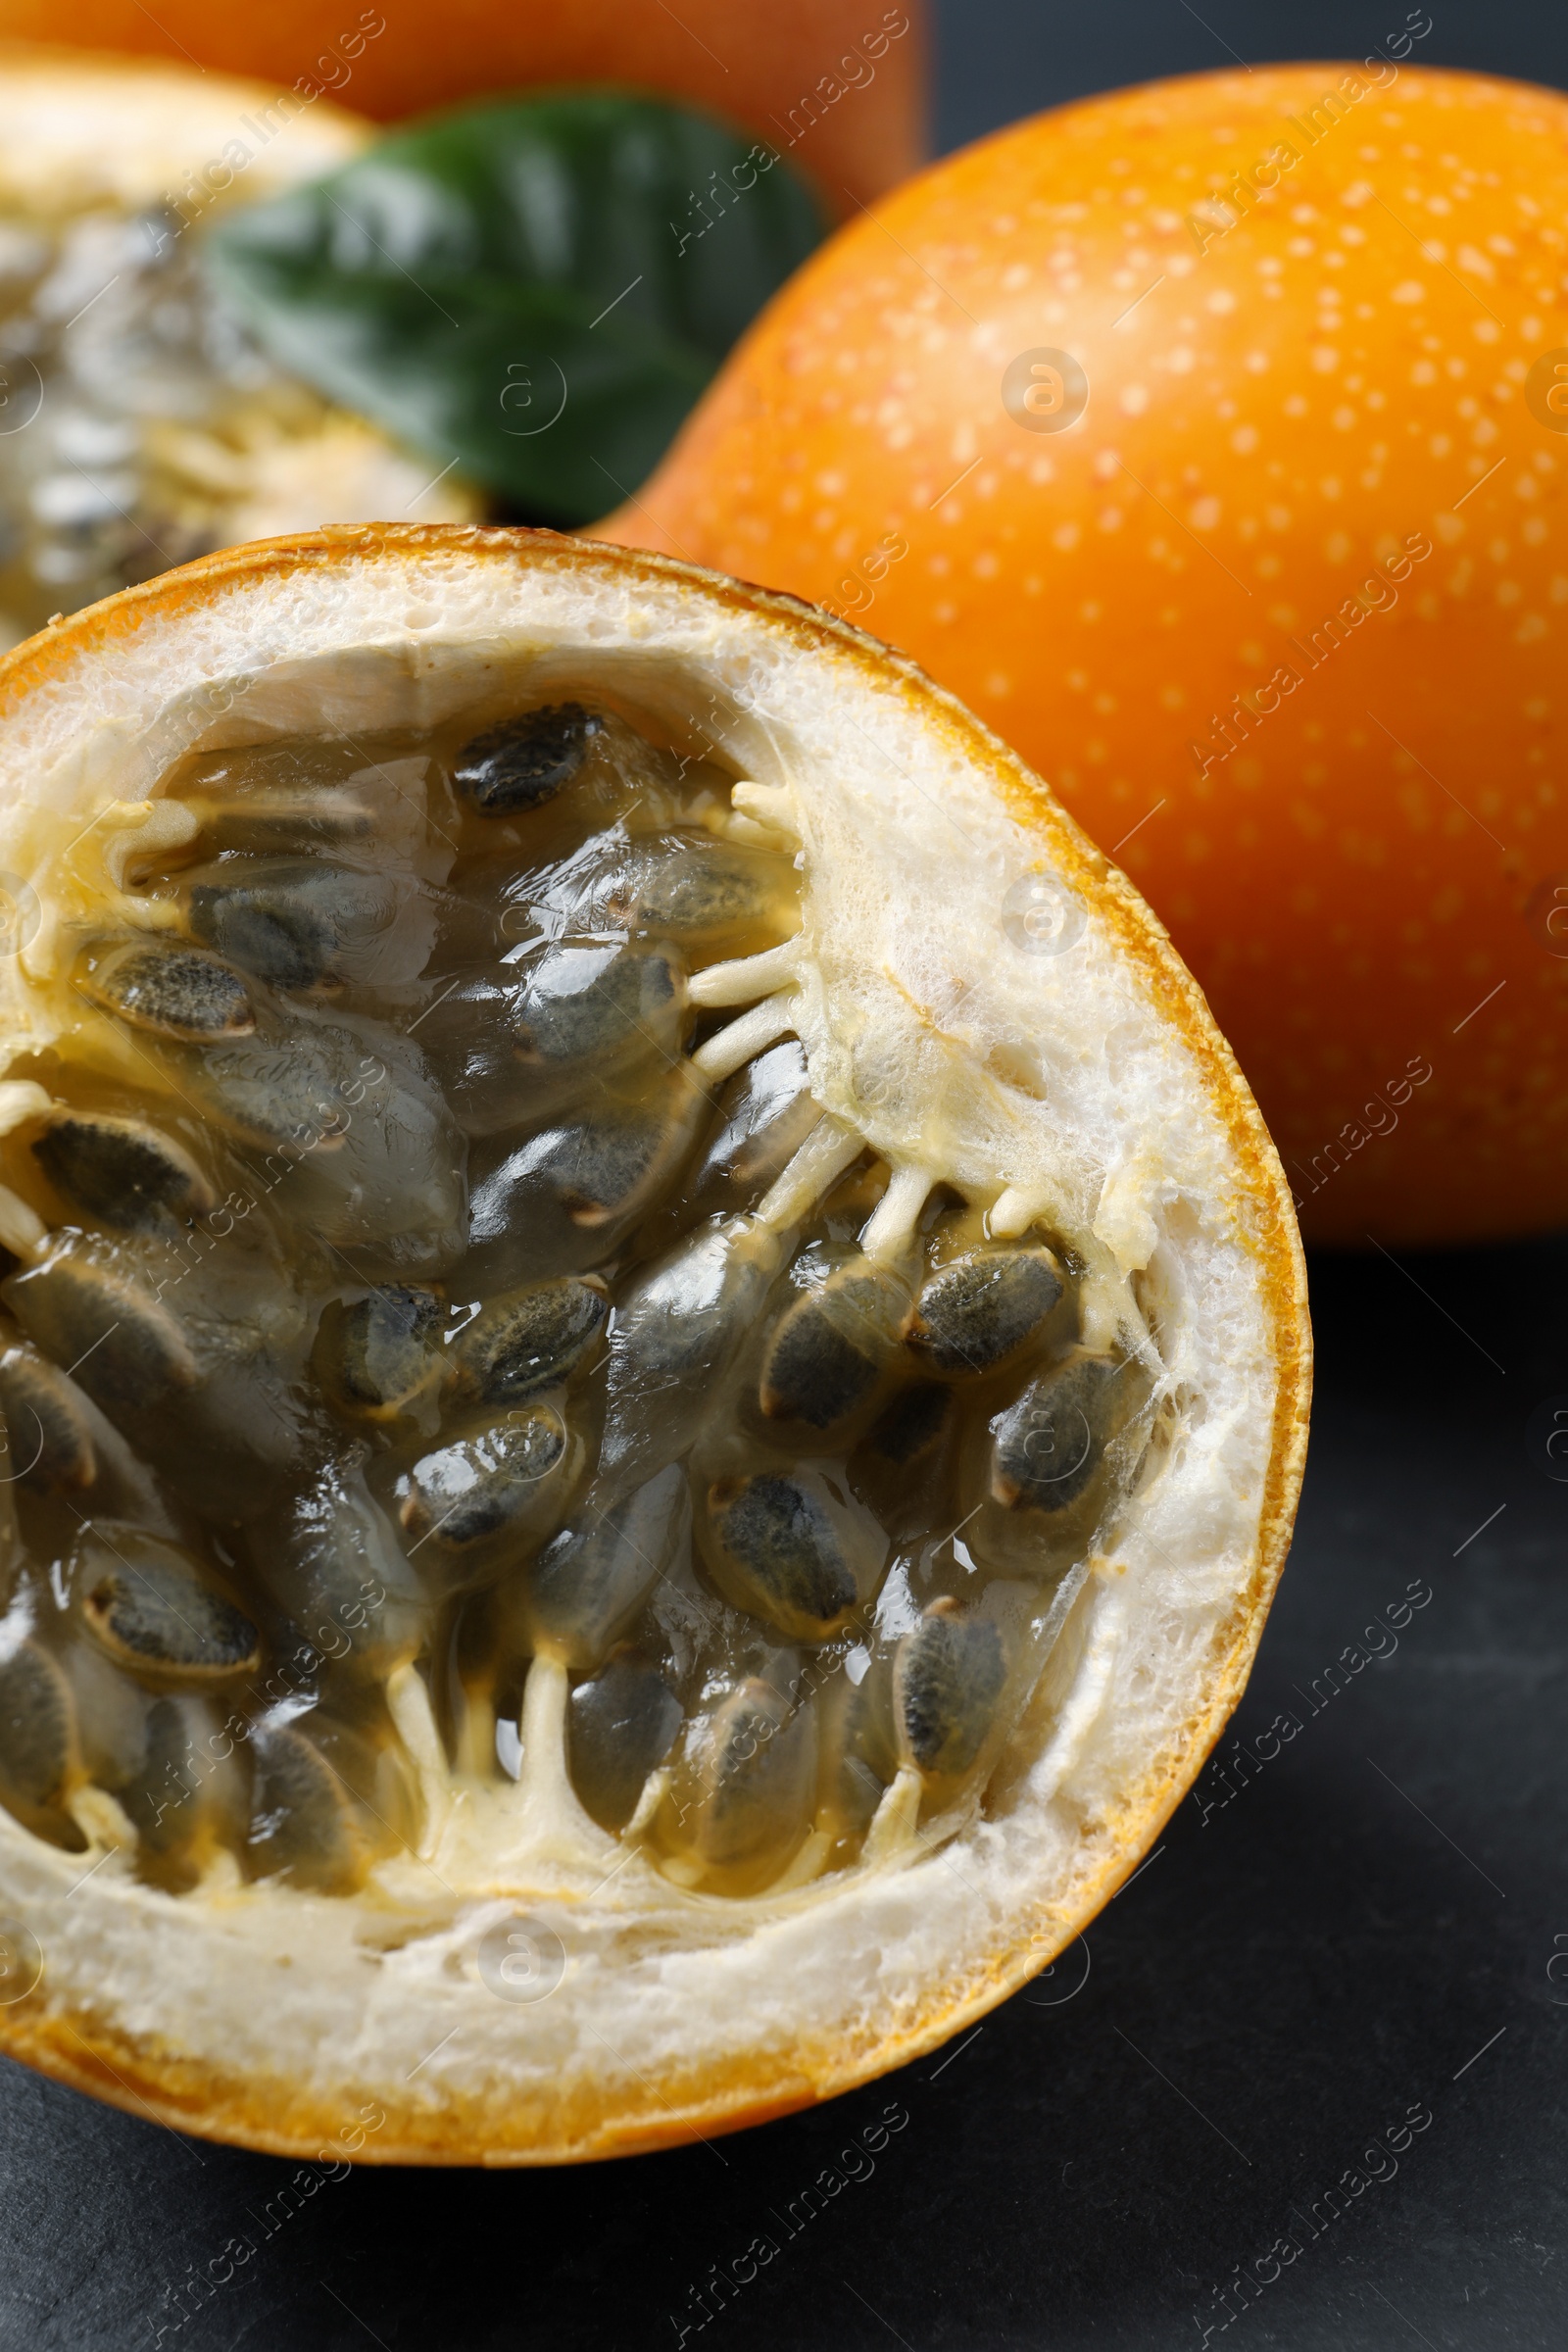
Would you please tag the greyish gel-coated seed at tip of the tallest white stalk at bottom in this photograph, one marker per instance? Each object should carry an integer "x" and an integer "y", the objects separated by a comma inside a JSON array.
[{"x": 589, "y": 1584}]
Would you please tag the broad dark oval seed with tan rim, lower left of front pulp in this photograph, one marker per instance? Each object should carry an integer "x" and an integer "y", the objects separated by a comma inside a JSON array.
[{"x": 152, "y": 1610}]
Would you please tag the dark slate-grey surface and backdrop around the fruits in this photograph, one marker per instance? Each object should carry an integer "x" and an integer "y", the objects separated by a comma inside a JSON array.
[{"x": 1367, "y": 1927}]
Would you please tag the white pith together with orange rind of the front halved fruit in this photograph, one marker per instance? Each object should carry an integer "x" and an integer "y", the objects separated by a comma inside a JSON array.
[{"x": 899, "y": 1956}]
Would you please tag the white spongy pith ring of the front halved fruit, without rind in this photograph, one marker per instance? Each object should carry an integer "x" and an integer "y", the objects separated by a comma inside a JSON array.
[{"x": 1033, "y": 1083}]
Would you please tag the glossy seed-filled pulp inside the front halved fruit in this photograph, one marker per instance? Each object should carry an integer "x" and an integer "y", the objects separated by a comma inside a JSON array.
[{"x": 422, "y": 1283}]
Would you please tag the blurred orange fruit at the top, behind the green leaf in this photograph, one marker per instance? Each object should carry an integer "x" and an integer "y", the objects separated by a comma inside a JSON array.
[{"x": 775, "y": 69}]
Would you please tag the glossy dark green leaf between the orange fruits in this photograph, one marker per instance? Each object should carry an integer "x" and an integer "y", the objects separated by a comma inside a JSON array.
[{"x": 535, "y": 290}]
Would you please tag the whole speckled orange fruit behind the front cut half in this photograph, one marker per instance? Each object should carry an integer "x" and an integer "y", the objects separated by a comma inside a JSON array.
[{"x": 1278, "y": 410}]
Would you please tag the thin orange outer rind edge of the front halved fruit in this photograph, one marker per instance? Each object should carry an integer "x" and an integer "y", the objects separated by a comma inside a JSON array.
[{"x": 730, "y": 2094}]
